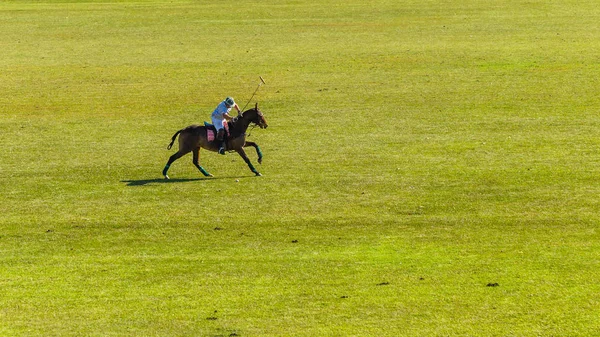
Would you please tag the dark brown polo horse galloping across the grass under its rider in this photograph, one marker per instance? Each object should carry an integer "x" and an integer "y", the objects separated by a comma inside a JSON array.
[{"x": 194, "y": 137}]
